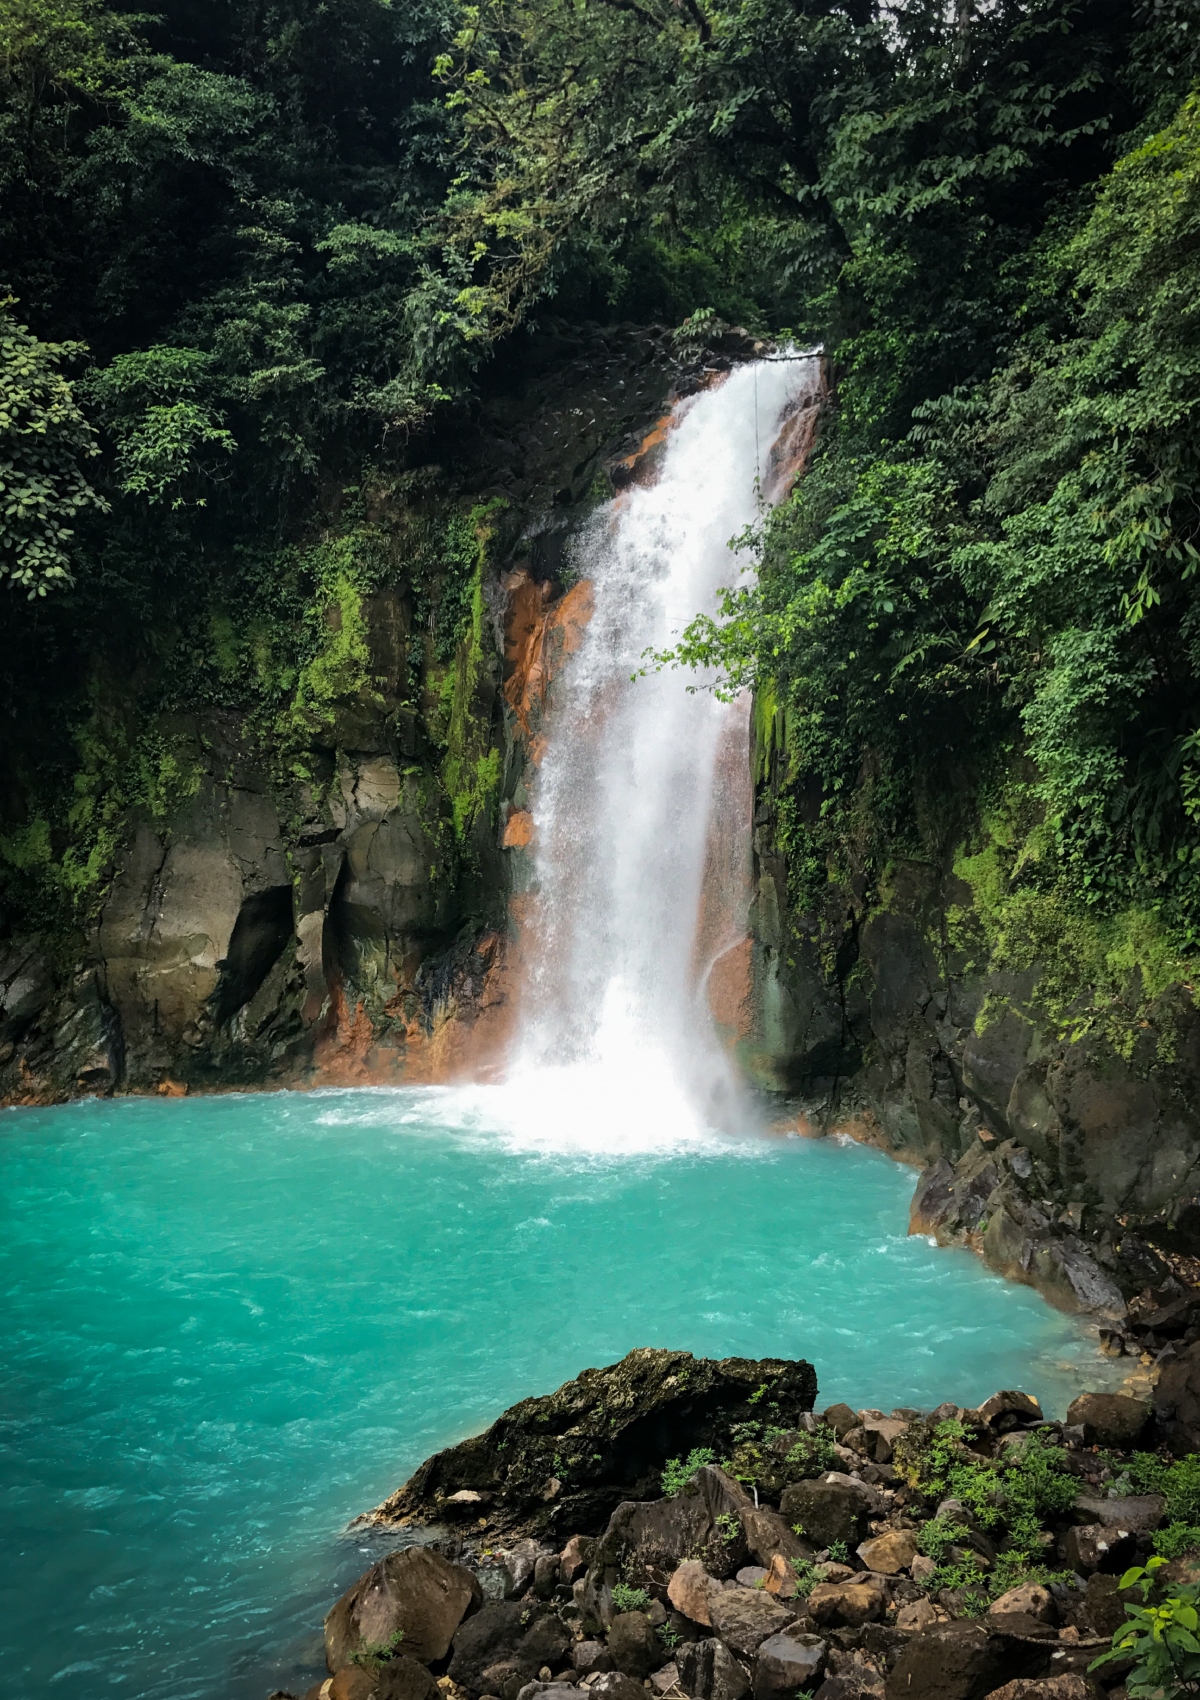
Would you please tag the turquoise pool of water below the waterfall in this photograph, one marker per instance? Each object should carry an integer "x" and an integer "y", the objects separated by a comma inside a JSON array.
[{"x": 235, "y": 1322}]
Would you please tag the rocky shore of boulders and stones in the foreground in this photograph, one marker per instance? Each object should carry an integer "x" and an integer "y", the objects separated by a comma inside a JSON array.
[{"x": 822, "y": 1556}]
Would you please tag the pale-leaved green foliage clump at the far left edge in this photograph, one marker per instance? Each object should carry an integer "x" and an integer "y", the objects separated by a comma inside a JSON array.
[{"x": 43, "y": 446}]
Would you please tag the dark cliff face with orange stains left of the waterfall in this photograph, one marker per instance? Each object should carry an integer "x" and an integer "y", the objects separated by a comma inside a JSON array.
[{"x": 348, "y": 919}]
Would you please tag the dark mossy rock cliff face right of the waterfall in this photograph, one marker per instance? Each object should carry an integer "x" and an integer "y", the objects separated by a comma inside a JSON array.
[{"x": 1060, "y": 1140}]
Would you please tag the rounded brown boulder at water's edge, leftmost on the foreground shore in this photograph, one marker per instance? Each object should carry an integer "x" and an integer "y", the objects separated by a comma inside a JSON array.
[{"x": 414, "y": 1594}]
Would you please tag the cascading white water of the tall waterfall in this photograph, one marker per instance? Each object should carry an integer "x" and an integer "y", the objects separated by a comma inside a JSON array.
[{"x": 633, "y": 795}]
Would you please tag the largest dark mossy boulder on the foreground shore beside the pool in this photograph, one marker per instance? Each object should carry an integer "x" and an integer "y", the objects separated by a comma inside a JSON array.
[{"x": 609, "y": 1427}]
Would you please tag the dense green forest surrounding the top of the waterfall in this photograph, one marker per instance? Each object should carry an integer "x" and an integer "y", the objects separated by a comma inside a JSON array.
[{"x": 252, "y": 249}]
